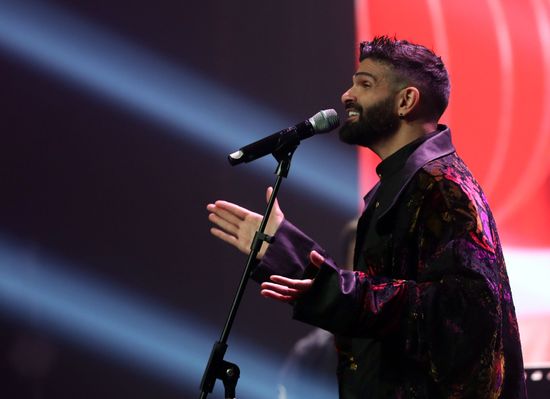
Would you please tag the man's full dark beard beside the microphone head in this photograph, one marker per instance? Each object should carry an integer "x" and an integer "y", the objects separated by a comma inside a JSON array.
[{"x": 375, "y": 124}]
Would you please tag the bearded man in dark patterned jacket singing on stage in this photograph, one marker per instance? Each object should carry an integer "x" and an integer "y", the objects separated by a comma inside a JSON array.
[{"x": 427, "y": 311}]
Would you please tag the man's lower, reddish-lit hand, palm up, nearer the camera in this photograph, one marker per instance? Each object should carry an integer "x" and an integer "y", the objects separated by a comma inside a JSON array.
[{"x": 287, "y": 289}]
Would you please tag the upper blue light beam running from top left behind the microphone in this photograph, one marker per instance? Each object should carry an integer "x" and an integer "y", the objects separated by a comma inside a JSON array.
[{"x": 193, "y": 106}]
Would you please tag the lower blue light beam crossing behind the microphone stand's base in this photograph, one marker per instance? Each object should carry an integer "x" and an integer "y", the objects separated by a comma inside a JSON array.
[{"x": 51, "y": 295}]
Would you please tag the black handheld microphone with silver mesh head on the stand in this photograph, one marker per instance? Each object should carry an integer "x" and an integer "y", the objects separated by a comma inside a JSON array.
[{"x": 322, "y": 122}]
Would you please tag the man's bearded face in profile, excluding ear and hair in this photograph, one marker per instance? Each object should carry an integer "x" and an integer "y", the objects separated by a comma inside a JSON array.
[{"x": 370, "y": 106}]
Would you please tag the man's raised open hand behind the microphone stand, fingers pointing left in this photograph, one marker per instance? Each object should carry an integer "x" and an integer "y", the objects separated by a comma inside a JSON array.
[{"x": 237, "y": 225}]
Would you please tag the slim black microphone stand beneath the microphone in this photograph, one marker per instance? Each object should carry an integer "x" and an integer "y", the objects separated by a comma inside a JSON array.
[{"x": 217, "y": 367}]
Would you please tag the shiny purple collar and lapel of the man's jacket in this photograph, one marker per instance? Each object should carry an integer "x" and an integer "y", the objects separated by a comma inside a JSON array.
[{"x": 437, "y": 146}]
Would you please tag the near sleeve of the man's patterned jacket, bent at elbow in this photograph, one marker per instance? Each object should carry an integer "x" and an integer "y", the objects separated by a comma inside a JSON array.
[{"x": 448, "y": 318}]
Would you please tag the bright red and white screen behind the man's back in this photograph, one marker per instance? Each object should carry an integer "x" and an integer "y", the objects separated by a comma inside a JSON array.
[{"x": 498, "y": 57}]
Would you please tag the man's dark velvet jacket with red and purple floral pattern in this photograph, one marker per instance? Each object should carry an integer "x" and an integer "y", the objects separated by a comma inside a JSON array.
[{"x": 429, "y": 314}]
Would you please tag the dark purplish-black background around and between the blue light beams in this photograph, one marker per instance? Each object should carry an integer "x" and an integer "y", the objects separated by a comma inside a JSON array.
[{"x": 122, "y": 197}]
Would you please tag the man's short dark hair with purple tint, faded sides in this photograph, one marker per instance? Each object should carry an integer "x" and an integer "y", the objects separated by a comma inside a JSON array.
[{"x": 414, "y": 65}]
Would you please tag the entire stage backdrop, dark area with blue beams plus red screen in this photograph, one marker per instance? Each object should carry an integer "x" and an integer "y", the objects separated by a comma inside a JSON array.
[{"x": 116, "y": 118}]
